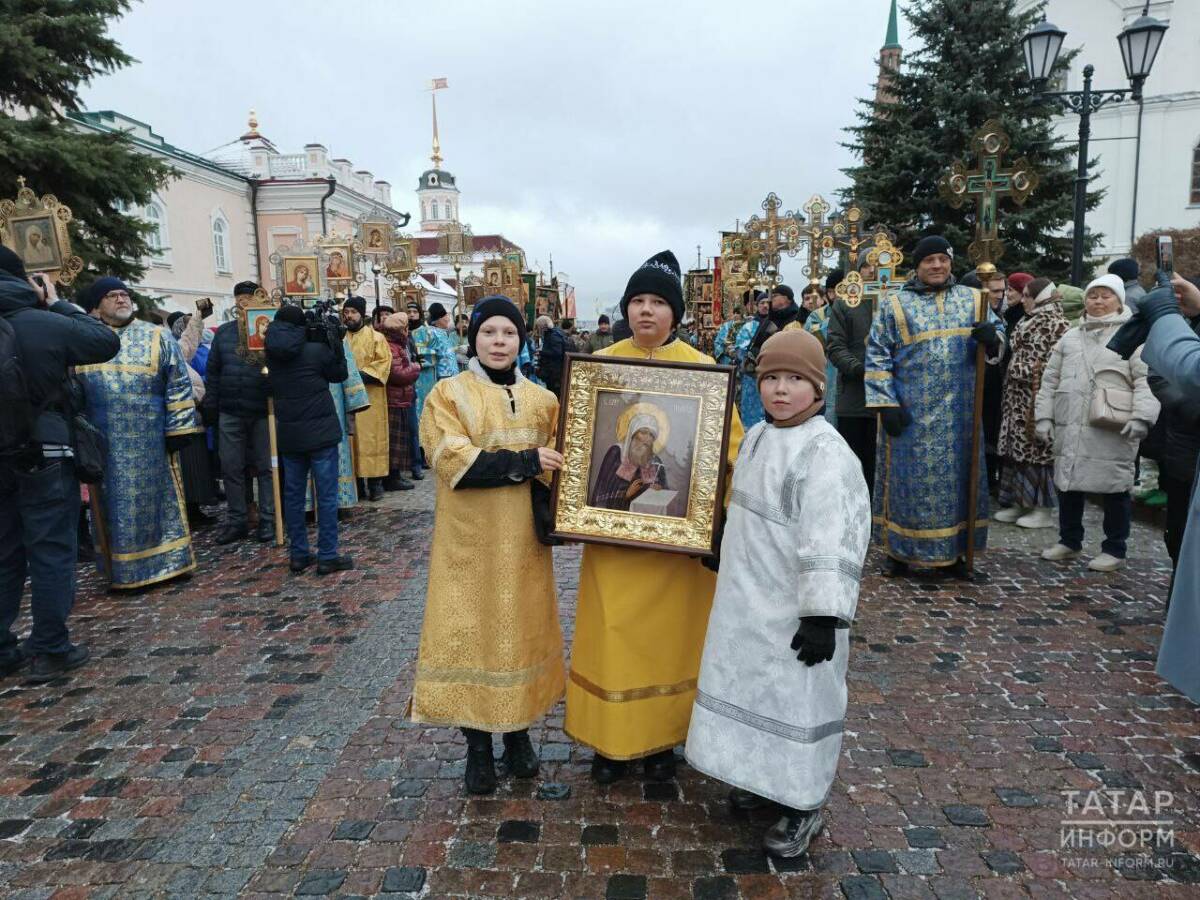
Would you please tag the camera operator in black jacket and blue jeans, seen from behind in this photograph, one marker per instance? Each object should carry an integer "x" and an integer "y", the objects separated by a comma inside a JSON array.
[{"x": 304, "y": 357}]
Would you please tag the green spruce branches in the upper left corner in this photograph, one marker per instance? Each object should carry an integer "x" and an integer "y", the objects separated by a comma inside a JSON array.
[{"x": 49, "y": 50}]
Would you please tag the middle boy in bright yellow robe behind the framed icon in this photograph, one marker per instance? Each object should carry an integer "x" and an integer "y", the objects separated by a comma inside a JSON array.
[{"x": 643, "y": 614}]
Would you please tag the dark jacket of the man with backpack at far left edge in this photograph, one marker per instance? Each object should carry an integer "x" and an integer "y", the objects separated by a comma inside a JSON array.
[{"x": 51, "y": 341}]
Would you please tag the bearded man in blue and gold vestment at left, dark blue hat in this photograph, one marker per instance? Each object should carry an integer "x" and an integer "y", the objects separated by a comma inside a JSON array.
[{"x": 142, "y": 403}]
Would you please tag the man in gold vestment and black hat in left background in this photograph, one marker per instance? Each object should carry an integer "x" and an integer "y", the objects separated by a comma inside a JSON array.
[{"x": 374, "y": 359}]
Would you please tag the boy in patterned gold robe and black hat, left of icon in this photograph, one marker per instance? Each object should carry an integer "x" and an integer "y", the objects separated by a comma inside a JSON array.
[{"x": 491, "y": 651}]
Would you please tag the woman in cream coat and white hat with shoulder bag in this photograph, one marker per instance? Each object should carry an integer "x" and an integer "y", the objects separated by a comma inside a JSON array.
[{"x": 1094, "y": 449}]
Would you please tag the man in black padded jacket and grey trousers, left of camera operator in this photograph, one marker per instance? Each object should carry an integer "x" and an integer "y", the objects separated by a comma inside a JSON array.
[{"x": 236, "y": 401}]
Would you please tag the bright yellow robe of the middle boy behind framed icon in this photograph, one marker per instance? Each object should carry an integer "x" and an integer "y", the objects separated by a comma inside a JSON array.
[{"x": 640, "y": 629}]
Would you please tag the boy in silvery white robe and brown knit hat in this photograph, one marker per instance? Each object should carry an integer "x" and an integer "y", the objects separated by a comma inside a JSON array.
[{"x": 772, "y": 697}]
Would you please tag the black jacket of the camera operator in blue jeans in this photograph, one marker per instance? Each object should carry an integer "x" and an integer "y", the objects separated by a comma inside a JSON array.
[{"x": 301, "y": 375}]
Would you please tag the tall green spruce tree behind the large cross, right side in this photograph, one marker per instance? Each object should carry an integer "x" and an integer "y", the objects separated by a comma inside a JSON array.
[{"x": 969, "y": 68}]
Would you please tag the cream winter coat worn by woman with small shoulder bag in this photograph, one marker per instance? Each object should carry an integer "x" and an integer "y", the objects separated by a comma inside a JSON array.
[{"x": 1089, "y": 459}]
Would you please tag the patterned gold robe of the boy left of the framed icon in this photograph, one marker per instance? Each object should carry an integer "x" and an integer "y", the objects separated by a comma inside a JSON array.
[{"x": 491, "y": 652}]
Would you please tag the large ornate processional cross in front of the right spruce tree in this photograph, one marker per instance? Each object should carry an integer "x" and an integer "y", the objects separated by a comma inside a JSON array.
[{"x": 988, "y": 184}]
